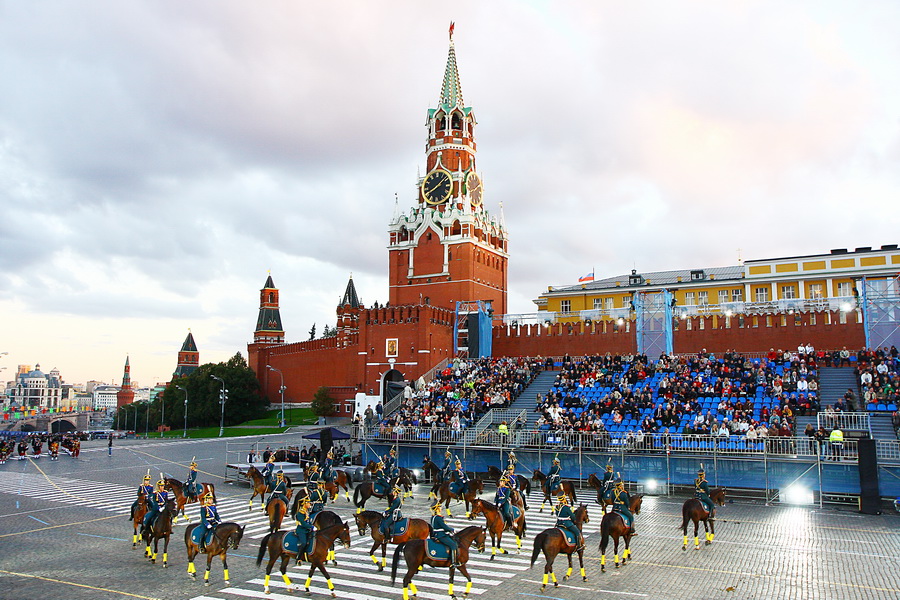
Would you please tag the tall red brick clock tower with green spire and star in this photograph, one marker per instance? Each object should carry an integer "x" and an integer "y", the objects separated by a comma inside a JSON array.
[{"x": 448, "y": 248}]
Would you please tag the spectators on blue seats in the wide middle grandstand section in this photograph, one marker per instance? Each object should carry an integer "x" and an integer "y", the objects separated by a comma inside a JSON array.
[{"x": 698, "y": 394}]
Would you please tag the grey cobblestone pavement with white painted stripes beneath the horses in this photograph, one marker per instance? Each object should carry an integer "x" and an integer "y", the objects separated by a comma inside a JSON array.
[{"x": 64, "y": 534}]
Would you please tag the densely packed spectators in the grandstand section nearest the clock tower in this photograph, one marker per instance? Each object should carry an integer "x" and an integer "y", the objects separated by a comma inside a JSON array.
[{"x": 459, "y": 394}]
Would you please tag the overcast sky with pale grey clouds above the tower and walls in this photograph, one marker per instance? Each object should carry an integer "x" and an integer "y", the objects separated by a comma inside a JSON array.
[{"x": 158, "y": 158}]
